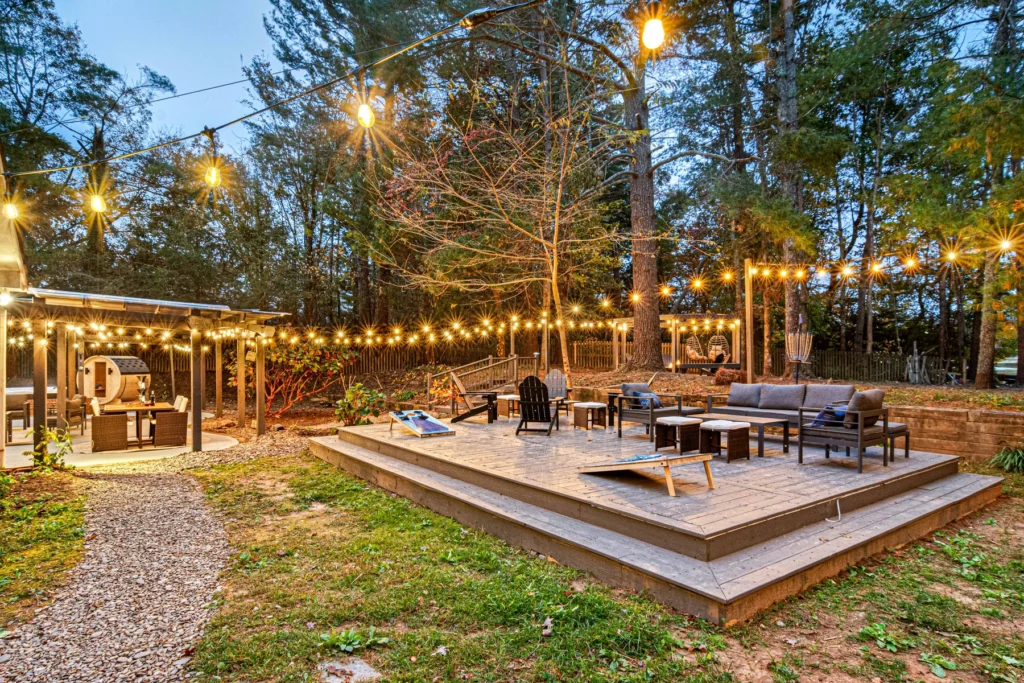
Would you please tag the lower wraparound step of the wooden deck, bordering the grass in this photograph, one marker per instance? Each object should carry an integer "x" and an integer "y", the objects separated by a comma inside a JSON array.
[{"x": 724, "y": 590}]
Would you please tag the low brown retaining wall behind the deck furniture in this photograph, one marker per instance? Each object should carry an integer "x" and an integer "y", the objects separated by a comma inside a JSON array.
[{"x": 970, "y": 434}]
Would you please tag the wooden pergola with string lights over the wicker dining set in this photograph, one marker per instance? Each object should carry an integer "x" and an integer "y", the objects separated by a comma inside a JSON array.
[{"x": 77, "y": 321}]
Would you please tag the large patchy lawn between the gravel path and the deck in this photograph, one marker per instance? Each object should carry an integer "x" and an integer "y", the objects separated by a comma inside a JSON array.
[{"x": 325, "y": 564}]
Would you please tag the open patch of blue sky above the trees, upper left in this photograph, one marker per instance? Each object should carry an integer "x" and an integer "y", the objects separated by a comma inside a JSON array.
[{"x": 195, "y": 44}]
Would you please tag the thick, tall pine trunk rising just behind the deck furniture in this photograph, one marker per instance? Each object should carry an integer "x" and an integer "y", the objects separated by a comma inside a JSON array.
[{"x": 647, "y": 323}]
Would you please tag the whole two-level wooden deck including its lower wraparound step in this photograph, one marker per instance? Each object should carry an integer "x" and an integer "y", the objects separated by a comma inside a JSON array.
[{"x": 769, "y": 530}]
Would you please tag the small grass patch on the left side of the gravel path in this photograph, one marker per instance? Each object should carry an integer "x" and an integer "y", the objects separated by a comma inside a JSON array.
[{"x": 42, "y": 518}]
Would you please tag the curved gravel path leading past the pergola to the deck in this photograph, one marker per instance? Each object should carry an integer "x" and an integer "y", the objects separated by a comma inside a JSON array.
[{"x": 139, "y": 602}]
